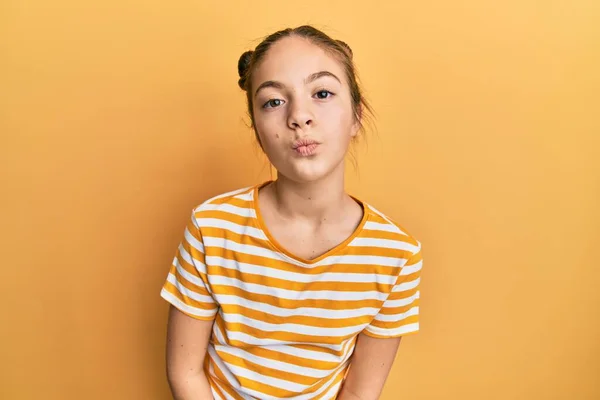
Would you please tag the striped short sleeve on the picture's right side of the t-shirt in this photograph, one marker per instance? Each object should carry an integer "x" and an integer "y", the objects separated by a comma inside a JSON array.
[{"x": 399, "y": 314}]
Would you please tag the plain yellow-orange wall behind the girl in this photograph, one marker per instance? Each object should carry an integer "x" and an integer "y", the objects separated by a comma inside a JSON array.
[{"x": 117, "y": 118}]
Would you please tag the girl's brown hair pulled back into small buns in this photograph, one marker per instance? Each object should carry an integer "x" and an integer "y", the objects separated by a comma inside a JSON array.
[{"x": 338, "y": 49}]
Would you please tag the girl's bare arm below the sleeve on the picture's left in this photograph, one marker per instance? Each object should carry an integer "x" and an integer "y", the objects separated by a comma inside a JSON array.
[{"x": 187, "y": 343}]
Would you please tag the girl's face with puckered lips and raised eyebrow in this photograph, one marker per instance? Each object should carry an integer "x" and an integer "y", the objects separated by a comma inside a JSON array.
[{"x": 302, "y": 110}]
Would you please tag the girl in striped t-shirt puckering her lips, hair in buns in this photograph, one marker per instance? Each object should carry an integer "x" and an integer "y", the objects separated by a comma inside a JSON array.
[{"x": 292, "y": 289}]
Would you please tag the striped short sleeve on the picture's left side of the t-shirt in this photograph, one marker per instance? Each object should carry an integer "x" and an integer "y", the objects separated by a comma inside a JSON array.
[{"x": 186, "y": 287}]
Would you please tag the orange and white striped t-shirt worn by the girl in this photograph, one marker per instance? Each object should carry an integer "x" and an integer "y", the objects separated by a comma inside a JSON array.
[{"x": 285, "y": 327}]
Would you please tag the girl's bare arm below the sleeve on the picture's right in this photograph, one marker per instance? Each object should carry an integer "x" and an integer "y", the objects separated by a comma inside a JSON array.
[{"x": 370, "y": 366}]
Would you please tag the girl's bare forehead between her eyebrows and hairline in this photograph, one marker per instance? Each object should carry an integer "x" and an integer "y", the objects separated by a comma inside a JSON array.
[{"x": 295, "y": 58}]
